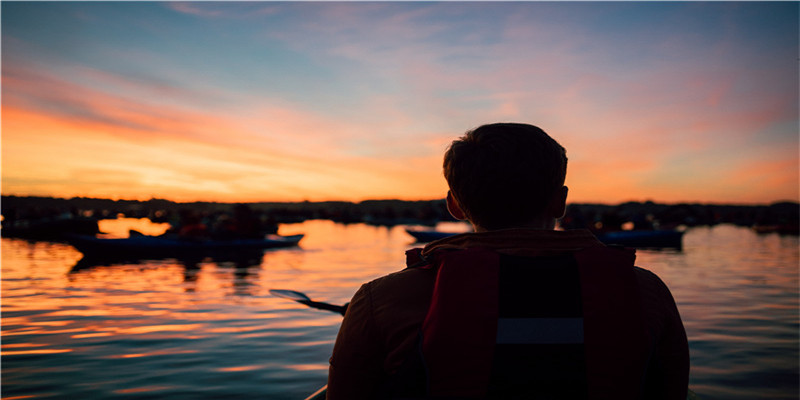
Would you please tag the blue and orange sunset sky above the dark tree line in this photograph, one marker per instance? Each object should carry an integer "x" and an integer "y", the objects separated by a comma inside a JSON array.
[{"x": 267, "y": 101}]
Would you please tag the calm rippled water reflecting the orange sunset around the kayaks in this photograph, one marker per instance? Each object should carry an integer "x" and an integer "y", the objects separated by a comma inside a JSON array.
[{"x": 211, "y": 330}]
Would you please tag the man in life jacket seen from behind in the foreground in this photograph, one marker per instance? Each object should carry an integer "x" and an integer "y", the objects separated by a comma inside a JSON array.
[{"x": 515, "y": 309}]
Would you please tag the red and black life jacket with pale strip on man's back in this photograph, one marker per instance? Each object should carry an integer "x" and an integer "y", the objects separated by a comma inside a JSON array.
[{"x": 505, "y": 326}]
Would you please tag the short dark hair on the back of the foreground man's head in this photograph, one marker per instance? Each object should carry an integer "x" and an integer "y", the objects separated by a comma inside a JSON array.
[{"x": 505, "y": 173}]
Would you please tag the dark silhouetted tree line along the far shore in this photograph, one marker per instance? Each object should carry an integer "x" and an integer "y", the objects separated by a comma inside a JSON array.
[{"x": 637, "y": 215}]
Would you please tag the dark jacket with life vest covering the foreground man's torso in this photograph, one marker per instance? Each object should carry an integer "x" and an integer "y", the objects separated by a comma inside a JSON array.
[{"x": 635, "y": 344}]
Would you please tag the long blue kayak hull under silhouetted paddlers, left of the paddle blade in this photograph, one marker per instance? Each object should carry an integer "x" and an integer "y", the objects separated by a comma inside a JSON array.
[{"x": 141, "y": 245}]
